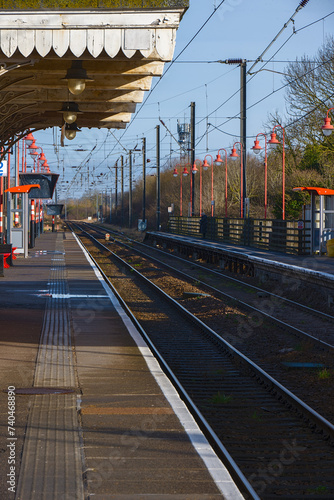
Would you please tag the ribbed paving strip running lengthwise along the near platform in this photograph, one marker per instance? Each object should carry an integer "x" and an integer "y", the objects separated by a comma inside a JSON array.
[{"x": 51, "y": 462}]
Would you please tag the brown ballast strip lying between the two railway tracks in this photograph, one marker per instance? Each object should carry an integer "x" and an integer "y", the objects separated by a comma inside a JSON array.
[{"x": 266, "y": 344}]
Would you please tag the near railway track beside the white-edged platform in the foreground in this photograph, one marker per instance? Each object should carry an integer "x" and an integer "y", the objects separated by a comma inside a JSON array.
[{"x": 274, "y": 438}]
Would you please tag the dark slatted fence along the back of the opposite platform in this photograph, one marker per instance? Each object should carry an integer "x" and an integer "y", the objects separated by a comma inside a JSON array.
[{"x": 293, "y": 237}]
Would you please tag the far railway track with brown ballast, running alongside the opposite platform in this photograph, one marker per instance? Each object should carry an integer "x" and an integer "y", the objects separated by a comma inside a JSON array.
[{"x": 282, "y": 348}]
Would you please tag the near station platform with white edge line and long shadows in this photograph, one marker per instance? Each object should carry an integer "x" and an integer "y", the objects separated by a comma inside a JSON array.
[{"x": 86, "y": 412}]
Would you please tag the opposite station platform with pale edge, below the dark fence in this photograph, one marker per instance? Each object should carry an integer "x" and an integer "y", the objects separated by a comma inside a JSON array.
[{"x": 311, "y": 273}]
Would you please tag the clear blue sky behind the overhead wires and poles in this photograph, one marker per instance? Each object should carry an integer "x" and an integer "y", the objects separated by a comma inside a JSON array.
[{"x": 238, "y": 29}]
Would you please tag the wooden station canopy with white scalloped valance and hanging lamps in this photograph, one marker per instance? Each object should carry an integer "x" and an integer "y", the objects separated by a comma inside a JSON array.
[{"x": 114, "y": 48}]
